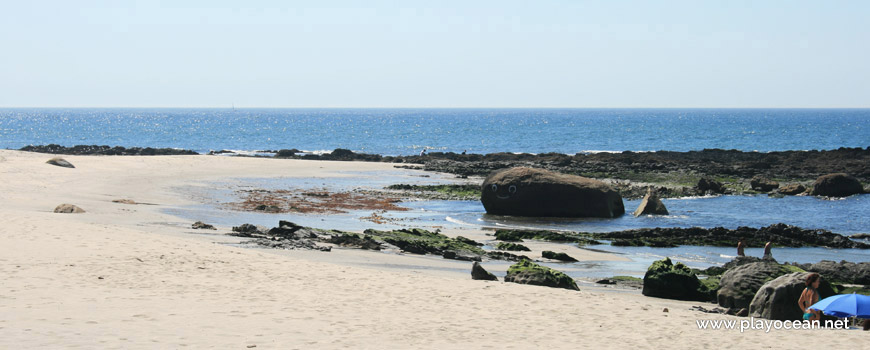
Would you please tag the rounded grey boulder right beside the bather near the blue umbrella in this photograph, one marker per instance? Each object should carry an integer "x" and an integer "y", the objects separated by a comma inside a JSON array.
[{"x": 777, "y": 299}]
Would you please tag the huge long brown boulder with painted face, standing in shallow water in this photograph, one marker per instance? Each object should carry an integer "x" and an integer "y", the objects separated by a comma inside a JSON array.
[{"x": 542, "y": 193}]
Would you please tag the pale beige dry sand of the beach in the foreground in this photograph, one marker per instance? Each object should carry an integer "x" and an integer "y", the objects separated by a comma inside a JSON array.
[{"x": 128, "y": 276}]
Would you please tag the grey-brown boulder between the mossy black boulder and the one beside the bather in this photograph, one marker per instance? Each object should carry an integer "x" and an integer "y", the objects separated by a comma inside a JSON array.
[{"x": 739, "y": 285}]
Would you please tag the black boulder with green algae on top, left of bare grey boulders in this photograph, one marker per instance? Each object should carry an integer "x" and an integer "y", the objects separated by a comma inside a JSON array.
[{"x": 664, "y": 279}]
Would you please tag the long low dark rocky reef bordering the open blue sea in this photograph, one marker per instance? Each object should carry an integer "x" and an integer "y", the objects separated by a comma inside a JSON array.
[{"x": 674, "y": 174}]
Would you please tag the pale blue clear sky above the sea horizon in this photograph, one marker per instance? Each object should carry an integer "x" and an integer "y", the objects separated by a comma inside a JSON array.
[{"x": 511, "y": 54}]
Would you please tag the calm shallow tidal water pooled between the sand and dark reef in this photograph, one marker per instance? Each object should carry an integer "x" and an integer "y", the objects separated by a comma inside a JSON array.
[{"x": 845, "y": 216}]
